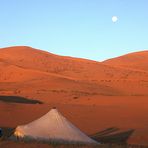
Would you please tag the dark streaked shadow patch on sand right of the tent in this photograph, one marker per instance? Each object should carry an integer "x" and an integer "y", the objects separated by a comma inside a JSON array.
[{"x": 113, "y": 136}]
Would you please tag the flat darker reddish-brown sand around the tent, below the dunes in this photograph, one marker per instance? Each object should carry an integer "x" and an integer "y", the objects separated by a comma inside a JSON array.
[{"x": 89, "y": 115}]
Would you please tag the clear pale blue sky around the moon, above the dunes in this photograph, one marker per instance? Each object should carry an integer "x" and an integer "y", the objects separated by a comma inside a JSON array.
[{"x": 78, "y": 28}]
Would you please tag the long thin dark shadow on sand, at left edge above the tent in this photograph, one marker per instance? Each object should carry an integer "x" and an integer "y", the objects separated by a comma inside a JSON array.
[{"x": 17, "y": 99}]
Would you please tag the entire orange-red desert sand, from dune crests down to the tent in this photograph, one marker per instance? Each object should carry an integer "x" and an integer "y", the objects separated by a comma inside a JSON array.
[{"x": 99, "y": 94}]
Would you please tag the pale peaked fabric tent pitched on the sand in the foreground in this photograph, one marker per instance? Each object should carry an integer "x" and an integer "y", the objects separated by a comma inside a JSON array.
[{"x": 53, "y": 127}]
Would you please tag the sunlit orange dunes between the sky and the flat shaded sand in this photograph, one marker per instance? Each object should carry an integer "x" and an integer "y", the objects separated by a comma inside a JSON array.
[{"x": 32, "y": 72}]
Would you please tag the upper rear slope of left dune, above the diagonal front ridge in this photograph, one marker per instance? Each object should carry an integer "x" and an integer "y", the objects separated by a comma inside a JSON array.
[{"x": 29, "y": 58}]
